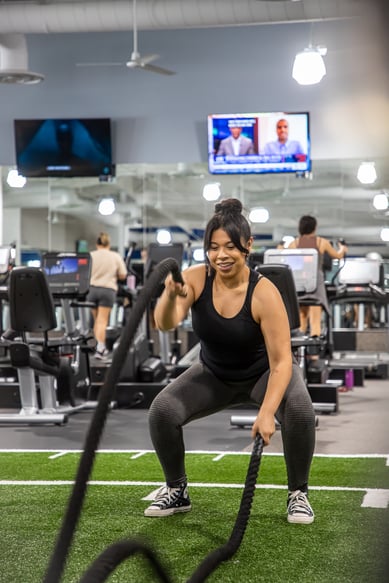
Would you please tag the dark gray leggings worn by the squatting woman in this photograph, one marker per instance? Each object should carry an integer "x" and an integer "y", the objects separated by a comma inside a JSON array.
[{"x": 197, "y": 393}]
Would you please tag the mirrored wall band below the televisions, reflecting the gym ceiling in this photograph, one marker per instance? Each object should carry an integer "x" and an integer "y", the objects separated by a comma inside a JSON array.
[{"x": 54, "y": 214}]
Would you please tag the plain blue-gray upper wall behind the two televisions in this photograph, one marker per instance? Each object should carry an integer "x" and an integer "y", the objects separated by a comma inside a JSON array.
[{"x": 163, "y": 119}]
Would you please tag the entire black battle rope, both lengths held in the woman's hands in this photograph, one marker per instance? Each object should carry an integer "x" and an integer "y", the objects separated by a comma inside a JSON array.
[{"x": 118, "y": 552}]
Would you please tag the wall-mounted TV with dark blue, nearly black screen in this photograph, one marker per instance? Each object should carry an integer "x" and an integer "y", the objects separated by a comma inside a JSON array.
[{"x": 63, "y": 147}]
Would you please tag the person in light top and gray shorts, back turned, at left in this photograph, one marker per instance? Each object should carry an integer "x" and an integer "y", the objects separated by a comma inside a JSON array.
[{"x": 107, "y": 268}]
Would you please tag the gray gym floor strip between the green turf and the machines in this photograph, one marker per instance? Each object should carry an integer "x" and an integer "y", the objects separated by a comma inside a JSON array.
[{"x": 359, "y": 427}]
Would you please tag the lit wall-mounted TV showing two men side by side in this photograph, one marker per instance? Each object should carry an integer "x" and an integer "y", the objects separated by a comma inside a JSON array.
[{"x": 256, "y": 143}]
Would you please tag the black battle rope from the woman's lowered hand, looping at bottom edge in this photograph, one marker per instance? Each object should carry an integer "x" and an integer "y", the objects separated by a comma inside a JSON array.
[{"x": 106, "y": 563}]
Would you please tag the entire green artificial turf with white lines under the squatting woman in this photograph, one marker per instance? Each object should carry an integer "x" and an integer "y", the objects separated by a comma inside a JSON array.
[{"x": 347, "y": 543}]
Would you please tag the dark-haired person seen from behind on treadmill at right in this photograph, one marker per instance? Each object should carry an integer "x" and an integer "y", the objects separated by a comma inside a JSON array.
[{"x": 310, "y": 316}]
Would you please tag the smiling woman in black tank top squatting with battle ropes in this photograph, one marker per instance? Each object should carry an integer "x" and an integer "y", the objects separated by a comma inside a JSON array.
[{"x": 241, "y": 321}]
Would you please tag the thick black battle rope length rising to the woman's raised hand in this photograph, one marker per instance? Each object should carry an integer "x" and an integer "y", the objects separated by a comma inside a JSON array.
[{"x": 64, "y": 539}]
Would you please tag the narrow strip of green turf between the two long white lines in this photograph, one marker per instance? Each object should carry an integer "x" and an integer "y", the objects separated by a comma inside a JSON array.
[{"x": 356, "y": 472}]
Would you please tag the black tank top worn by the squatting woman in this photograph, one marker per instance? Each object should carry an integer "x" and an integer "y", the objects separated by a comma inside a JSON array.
[{"x": 233, "y": 348}]
